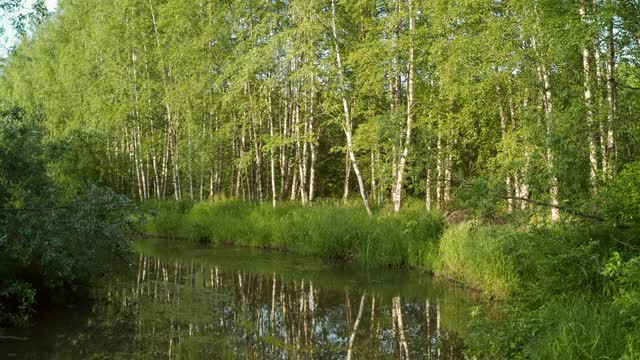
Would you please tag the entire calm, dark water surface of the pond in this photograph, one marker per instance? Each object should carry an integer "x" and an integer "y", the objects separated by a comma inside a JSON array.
[{"x": 196, "y": 302}]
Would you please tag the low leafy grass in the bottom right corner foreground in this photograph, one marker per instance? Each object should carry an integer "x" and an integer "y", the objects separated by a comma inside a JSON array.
[{"x": 573, "y": 327}]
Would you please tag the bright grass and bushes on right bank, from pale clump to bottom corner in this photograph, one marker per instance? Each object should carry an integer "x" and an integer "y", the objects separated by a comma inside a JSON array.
[{"x": 571, "y": 299}]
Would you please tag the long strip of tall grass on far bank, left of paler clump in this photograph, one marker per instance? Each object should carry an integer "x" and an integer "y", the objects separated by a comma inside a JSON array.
[{"x": 332, "y": 230}]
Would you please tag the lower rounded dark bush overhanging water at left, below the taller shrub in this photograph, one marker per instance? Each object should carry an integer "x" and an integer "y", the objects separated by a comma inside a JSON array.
[{"x": 60, "y": 251}]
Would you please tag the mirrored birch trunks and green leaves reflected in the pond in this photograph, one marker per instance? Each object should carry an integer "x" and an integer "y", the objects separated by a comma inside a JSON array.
[{"x": 176, "y": 309}]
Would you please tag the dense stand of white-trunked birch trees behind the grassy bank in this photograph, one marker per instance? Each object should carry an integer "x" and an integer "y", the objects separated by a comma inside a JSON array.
[{"x": 517, "y": 103}]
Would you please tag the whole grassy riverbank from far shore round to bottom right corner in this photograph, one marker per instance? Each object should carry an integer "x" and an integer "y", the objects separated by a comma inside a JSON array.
[{"x": 539, "y": 270}]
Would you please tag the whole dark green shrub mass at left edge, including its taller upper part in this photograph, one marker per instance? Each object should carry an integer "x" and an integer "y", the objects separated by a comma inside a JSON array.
[{"x": 51, "y": 248}]
